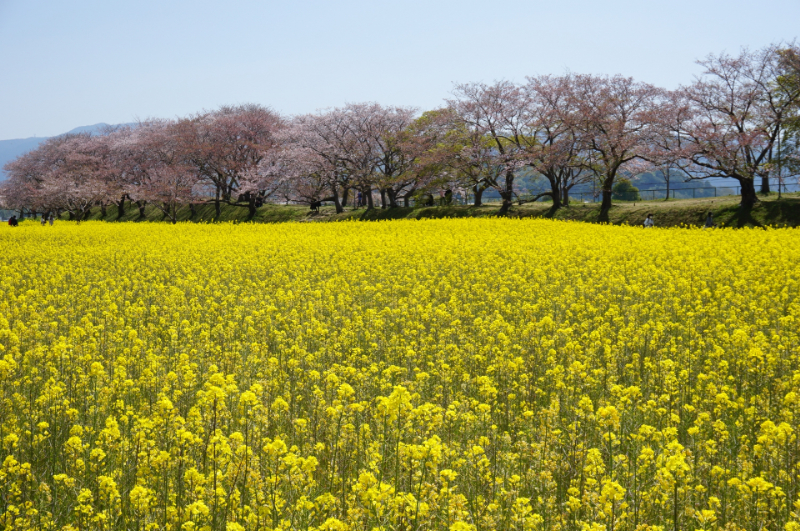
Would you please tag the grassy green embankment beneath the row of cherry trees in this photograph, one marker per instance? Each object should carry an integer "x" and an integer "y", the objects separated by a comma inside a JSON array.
[{"x": 768, "y": 211}]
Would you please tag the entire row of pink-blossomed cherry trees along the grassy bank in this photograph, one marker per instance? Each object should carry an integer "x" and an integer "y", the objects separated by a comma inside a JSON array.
[{"x": 738, "y": 120}]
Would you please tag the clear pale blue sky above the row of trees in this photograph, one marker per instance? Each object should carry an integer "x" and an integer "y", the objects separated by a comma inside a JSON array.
[{"x": 69, "y": 63}]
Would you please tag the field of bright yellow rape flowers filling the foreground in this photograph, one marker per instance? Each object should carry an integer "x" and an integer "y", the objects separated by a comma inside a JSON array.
[{"x": 430, "y": 375}]
